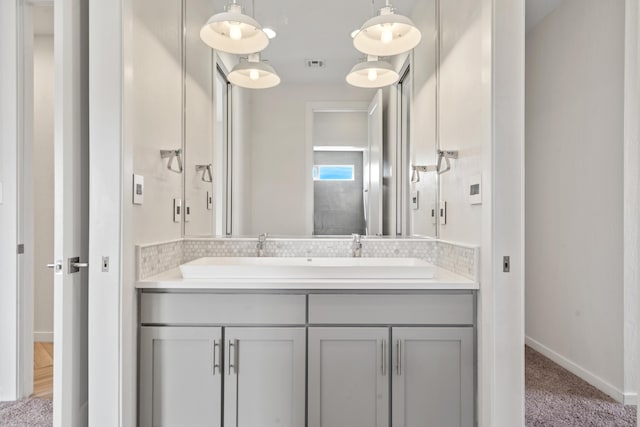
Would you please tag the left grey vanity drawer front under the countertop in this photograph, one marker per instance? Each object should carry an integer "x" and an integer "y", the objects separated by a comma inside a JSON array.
[{"x": 252, "y": 309}]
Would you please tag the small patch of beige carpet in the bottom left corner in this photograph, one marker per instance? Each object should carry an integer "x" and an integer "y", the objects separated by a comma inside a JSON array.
[{"x": 26, "y": 413}]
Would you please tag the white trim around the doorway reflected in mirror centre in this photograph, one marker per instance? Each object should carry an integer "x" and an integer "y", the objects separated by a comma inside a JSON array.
[{"x": 312, "y": 108}]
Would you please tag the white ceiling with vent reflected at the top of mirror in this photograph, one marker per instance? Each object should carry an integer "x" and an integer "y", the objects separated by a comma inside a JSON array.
[{"x": 313, "y": 30}]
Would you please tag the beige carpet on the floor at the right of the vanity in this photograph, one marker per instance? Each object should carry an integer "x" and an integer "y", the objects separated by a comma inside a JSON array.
[{"x": 557, "y": 398}]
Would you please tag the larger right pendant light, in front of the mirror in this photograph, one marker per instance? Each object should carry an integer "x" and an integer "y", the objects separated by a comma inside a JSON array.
[{"x": 387, "y": 34}]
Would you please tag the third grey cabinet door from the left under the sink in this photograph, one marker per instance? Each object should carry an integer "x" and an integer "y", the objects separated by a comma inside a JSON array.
[{"x": 348, "y": 377}]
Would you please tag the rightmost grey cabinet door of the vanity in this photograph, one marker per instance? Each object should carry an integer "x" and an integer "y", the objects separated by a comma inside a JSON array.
[{"x": 433, "y": 377}]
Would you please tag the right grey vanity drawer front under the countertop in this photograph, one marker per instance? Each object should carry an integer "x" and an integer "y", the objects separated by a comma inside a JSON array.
[{"x": 416, "y": 309}]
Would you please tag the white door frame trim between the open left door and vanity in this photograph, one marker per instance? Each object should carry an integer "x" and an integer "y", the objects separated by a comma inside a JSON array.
[{"x": 112, "y": 353}]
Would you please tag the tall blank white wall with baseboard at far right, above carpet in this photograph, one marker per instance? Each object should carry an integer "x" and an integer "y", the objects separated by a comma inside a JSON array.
[{"x": 574, "y": 189}]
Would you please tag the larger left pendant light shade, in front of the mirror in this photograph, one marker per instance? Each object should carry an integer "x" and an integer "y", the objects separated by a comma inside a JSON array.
[{"x": 234, "y": 32}]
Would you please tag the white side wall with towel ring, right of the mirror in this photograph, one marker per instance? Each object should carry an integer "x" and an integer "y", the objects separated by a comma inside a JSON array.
[{"x": 462, "y": 122}]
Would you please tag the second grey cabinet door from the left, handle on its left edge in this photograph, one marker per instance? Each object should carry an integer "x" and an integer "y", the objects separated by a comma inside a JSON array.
[{"x": 264, "y": 377}]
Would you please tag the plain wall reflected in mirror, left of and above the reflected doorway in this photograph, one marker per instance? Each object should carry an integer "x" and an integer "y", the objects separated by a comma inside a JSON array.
[{"x": 278, "y": 153}]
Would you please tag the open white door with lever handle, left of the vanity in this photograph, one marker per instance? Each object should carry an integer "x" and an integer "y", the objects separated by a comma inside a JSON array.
[{"x": 71, "y": 223}]
